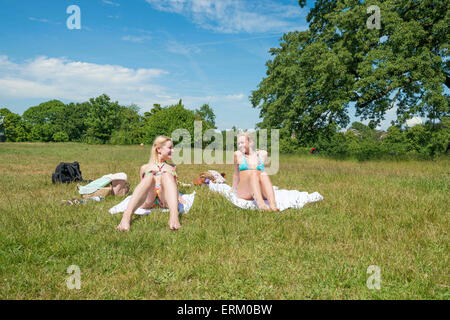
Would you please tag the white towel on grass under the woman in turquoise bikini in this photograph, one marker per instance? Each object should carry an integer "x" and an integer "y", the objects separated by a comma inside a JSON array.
[{"x": 285, "y": 198}]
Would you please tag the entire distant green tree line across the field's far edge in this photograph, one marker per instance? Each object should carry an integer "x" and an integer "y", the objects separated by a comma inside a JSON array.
[{"x": 102, "y": 121}]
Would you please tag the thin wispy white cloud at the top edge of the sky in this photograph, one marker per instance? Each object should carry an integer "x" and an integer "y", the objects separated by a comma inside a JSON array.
[{"x": 234, "y": 16}]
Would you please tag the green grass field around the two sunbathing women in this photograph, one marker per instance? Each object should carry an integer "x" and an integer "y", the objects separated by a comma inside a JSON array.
[{"x": 394, "y": 215}]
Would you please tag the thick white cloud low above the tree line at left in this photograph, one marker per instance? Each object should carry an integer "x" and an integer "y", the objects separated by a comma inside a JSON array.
[{"x": 59, "y": 78}]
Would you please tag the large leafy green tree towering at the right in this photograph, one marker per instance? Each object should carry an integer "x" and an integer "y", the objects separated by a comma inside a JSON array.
[{"x": 316, "y": 75}]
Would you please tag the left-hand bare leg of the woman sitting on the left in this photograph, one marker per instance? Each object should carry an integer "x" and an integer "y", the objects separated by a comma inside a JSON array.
[{"x": 146, "y": 186}]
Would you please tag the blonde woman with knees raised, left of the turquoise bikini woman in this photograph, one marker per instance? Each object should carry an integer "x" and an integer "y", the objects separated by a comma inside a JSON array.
[{"x": 158, "y": 186}]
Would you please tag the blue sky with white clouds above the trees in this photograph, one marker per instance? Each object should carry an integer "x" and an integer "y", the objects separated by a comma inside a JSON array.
[{"x": 143, "y": 52}]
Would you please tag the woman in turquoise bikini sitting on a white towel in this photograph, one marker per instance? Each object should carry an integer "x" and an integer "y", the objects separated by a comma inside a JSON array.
[{"x": 249, "y": 180}]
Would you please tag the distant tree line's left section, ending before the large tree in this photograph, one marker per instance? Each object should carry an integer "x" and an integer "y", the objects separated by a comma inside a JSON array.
[{"x": 101, "y": 121}]
